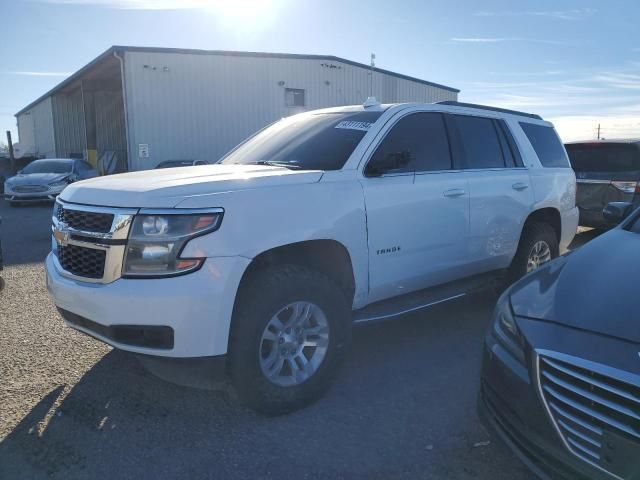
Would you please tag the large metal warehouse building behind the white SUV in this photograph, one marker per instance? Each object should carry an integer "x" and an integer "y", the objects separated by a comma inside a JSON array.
[{"x": 133, "y": 107}]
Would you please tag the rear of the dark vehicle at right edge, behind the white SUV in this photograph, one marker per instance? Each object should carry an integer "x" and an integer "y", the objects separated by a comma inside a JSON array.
[{"x": 605, "y": 172}]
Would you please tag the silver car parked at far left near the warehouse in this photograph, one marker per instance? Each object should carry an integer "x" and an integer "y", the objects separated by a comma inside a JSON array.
[{"x": 45, "y": 179}]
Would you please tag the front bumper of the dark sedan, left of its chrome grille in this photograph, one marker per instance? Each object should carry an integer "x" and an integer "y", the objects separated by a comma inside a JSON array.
[{"x": 510, "y": 406}]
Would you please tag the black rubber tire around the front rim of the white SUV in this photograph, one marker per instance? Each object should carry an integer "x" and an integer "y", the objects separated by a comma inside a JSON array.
[{"x": 262, "y": 295}]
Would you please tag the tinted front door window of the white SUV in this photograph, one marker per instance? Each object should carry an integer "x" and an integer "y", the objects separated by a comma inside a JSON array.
[{"x": 418, "y": 142}]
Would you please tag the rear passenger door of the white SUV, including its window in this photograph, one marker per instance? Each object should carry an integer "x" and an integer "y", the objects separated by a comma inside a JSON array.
[{"x": 500, "y": 190}]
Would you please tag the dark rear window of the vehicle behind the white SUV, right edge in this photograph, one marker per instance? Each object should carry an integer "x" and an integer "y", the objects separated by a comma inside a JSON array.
[{"x": 604, "y": 157}]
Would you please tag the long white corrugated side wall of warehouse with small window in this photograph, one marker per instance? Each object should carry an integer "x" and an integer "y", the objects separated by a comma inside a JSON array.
[{"x": 200, "y": 106}]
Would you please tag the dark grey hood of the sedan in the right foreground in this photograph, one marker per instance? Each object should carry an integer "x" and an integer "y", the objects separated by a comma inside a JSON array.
[{"x": 593, "y": 288}]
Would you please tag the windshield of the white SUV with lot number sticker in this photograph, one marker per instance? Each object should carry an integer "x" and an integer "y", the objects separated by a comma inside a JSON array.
[{"x": 321, "y": 141}]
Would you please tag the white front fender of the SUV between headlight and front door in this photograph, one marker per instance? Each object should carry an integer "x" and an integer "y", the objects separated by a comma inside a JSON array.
[{"x": 262, "y": 219}]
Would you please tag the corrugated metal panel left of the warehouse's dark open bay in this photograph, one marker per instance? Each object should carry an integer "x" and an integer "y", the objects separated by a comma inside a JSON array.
[{"x": 68, "y": 120}]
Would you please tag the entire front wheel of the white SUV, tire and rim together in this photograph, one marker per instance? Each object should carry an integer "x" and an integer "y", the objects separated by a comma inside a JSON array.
[{"x": 290, "y": 333}]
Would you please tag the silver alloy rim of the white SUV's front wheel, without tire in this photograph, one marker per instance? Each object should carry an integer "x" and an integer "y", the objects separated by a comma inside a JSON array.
[{"x": 294, "y": 344}]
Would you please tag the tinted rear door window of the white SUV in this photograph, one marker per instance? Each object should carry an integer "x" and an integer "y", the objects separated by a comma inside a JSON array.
[{"x": 479, "y": 141}]
